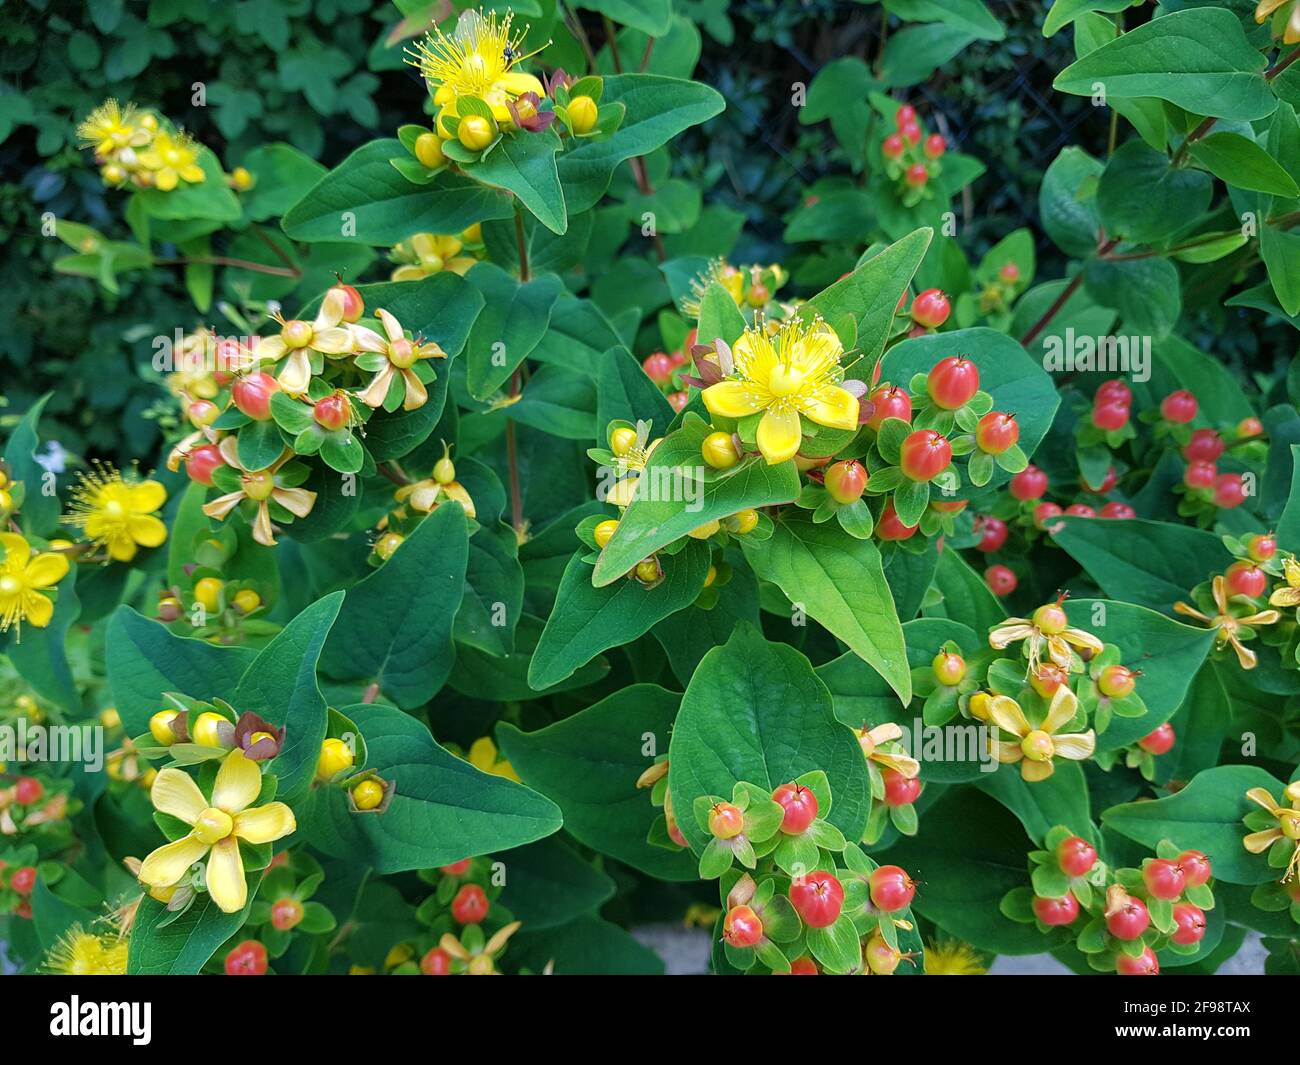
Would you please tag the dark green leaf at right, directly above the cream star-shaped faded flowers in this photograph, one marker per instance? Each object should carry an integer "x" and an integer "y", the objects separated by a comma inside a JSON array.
[{"x": 1152, "y": 564}]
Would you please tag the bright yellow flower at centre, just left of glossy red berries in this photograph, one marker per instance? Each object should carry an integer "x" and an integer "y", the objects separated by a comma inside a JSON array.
[{"x": 792, "y": 374}]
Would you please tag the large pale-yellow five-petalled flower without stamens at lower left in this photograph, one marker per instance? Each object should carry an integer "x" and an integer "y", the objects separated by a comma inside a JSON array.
[{"x": 216, "y": 829}]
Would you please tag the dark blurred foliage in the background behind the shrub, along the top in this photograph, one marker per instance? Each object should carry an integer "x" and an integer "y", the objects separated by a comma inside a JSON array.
[{"x": 318, "y": 75}]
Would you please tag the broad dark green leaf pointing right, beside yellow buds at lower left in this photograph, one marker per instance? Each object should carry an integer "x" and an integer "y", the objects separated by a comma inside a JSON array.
[{"x": 443, "y": 808}]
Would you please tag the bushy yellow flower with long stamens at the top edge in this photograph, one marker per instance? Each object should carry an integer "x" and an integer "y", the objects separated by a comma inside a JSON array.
[{"x": 478, "y": 59}]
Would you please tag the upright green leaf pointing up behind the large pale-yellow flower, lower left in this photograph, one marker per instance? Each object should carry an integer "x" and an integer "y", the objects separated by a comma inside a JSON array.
[{"x": 280, "y": 685}]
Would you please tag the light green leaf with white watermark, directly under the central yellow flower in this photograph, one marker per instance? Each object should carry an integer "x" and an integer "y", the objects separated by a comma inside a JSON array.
[{"x": 703, "y": 495}]
